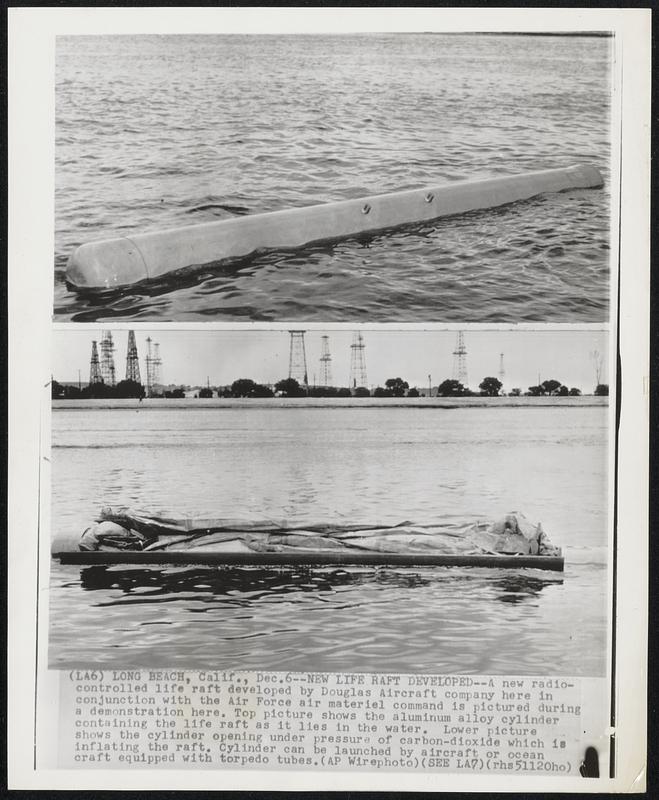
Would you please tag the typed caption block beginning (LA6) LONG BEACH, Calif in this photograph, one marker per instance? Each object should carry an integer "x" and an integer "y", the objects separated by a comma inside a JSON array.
[{"x": 441, "y": 723}]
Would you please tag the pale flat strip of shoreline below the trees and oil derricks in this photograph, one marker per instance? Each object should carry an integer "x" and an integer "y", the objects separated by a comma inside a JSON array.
[{"x": 588, "y": 401}]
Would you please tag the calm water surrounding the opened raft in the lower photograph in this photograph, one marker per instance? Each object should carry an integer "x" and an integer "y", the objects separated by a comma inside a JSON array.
[{"x": 370, "y": 465}]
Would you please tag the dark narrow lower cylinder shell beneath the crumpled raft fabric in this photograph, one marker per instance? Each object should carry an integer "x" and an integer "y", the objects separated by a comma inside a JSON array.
[{"x": 329, "y": 558}]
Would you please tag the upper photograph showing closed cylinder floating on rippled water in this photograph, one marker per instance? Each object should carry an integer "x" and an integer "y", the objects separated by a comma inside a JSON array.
[{"x": 404, "y": 178}]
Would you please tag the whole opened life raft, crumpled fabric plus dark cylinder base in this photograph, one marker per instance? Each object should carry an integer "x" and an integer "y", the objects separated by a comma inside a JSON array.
[{"x": 125, "y": 536}]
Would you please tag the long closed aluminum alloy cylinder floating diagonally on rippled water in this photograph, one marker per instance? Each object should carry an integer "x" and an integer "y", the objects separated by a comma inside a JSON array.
[{"x": 118, "y": 262}]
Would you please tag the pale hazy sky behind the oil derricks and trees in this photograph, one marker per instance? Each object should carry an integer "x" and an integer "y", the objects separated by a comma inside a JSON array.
[{"x": 190, "y": 356}]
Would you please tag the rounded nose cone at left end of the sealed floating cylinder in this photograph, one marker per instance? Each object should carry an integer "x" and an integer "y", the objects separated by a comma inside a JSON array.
[{"x": 105, "y": 265}]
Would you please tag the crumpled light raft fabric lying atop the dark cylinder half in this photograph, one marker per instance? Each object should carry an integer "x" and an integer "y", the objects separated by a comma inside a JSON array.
[{"x": 122, "y": 529}]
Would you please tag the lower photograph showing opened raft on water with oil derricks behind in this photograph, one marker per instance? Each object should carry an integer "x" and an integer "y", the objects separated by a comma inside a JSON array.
[{"x": 330, "y": 500}]
